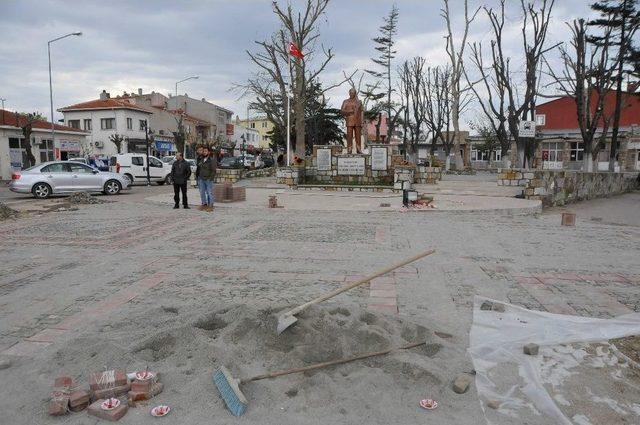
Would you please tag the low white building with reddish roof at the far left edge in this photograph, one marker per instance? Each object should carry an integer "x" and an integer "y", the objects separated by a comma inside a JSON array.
[{"x": 69, "y": 142}]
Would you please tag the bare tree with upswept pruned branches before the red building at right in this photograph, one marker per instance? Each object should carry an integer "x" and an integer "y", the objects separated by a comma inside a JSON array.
[{"x": 586, "y": 77}]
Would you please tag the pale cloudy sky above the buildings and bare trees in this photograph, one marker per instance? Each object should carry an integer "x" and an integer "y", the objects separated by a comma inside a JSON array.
[{"x": 151, "y": 44}]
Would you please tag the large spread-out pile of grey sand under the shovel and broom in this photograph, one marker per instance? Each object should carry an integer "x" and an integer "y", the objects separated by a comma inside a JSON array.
[{"x": 187, "y": 346}]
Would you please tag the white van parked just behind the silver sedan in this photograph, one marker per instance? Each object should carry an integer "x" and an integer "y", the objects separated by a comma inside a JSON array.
[{"x": 134, "y": 167}]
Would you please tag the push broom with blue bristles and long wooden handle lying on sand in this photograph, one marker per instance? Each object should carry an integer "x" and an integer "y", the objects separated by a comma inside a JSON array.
[{"x": 235, "y": 400}]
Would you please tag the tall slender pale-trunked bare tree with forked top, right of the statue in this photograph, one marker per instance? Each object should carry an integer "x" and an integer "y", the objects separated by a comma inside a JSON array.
[{"x": 456, "y": 59}]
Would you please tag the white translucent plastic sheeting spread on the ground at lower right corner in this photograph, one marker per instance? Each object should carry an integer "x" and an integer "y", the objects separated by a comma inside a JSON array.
[{"x": 518, "y": 386}]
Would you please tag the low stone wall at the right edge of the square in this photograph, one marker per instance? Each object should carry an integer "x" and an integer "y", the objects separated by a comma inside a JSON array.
[{"x": 563, "y": 187}]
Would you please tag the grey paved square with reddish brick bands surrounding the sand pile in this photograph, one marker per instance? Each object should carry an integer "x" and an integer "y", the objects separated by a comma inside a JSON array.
[{"x": 80, "y": 289}]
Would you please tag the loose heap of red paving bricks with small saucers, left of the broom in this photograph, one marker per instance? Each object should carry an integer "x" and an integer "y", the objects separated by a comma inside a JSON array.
[{"x": 67, "y": 397}]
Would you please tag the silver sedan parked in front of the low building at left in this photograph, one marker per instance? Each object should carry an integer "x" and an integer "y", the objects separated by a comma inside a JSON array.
[{"x": 60, "y": 177}]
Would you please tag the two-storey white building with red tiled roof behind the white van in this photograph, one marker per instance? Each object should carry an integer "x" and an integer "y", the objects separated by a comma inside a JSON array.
[{"x": 105, "y": 117}]
